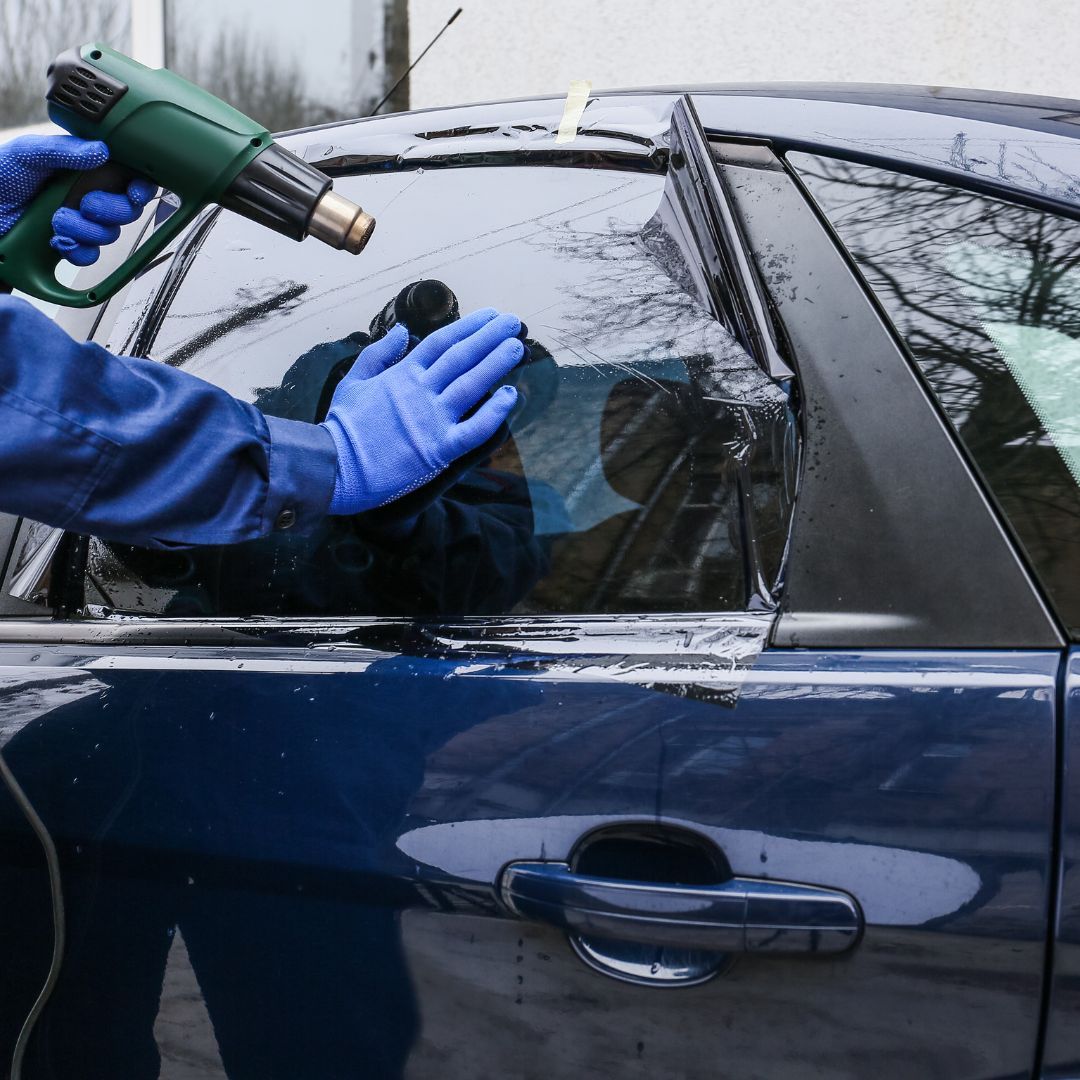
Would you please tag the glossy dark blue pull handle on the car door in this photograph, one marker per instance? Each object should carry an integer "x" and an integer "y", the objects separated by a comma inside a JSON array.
[{"x": 740, "y": 915}]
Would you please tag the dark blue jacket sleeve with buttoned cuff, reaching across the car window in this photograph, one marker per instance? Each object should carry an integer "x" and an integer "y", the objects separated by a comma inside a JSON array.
[{"x": 141, "y": 453}]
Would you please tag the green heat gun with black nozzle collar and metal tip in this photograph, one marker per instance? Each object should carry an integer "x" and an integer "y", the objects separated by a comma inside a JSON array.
[{"x": 166, "y": 129}]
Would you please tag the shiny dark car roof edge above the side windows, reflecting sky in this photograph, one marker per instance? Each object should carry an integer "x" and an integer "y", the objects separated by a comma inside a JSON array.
[{"x": 1019, "y": 147}]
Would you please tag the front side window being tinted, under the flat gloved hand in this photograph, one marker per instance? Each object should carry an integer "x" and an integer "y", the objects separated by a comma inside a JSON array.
[{"x": 650, "y": 467}]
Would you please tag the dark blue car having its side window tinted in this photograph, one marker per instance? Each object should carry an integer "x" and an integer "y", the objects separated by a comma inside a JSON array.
[{"x": 718, "y": 720}]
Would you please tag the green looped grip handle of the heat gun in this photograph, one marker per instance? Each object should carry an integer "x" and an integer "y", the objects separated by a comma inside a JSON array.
[{"x": 29, "y": 264}]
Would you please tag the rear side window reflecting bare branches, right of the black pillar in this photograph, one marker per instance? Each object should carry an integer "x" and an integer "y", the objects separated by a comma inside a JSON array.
[{"x": 988, "y": 298}]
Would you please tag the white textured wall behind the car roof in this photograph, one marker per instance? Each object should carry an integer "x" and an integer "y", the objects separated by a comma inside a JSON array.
[{"x": 501, "y": 49}]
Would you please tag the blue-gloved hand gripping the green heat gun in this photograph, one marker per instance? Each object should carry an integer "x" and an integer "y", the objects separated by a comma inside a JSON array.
[{"x": 26, "y": 164}]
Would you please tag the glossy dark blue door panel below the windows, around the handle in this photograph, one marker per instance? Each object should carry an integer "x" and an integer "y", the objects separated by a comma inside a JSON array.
[{"x": 327, "y": 829}]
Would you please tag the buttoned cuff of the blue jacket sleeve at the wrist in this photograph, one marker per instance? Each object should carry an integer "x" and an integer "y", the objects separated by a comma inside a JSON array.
[{"x": 303, "y": 467}]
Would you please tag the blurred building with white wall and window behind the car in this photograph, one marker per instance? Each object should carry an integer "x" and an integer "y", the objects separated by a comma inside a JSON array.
[{"x": 290, "y": 64}]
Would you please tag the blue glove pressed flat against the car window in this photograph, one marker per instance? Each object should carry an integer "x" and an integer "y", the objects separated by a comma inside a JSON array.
[{"x": 397, "y": 423}]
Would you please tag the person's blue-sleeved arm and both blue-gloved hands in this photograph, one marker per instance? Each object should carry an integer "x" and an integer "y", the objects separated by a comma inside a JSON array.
[{"x": 145, "y": 454}]
